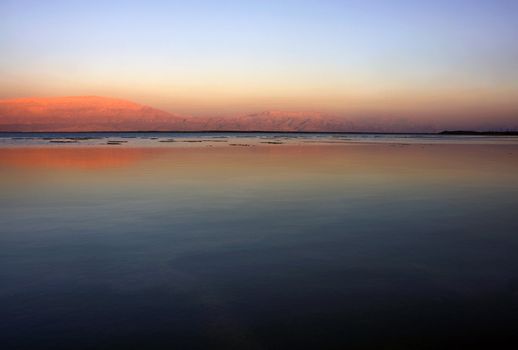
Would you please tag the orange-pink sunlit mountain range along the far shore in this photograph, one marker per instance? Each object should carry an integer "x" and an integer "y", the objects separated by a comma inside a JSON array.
[{"x": 92, "y": 113}]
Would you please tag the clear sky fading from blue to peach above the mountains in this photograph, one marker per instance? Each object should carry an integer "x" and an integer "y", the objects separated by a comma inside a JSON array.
[{"x": 426, "y": 60}]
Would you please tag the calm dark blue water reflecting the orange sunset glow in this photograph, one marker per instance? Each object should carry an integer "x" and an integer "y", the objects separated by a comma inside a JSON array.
[{"x": 257, "y": 241}]
